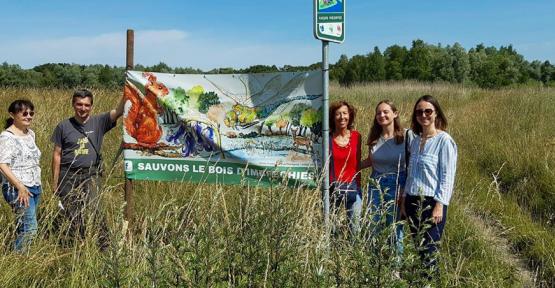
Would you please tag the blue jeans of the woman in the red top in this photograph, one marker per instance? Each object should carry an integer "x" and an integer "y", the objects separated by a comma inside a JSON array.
[{"x": 349, "y": 196}]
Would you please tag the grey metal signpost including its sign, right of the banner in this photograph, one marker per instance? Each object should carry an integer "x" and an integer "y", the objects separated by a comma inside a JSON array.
[{"x": 329, "y": 26}]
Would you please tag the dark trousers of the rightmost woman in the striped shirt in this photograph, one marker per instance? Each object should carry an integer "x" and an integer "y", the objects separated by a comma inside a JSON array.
[{"x": 425, "y": 233}]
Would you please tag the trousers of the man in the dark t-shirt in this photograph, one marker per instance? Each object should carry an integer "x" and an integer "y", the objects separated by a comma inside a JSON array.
[{"x": 80, "y": 197}]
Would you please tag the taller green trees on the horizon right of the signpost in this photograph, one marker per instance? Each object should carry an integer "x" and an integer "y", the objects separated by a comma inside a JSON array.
[{"x": 486, "y": 67}]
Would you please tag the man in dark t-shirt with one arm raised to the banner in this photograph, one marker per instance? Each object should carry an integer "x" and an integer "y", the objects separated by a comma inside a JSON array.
[{"x": 77, "y": 160}]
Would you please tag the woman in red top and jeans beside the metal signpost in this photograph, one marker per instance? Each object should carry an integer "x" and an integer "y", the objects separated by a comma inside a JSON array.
[{"x": 345, "y": 162}]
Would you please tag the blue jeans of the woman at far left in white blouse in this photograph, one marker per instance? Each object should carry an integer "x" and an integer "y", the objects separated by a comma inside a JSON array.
[{"x": 25, "y": 218}]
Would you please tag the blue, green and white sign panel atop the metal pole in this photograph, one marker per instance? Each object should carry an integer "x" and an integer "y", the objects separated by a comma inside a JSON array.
[{"x": 329, "y": 20}]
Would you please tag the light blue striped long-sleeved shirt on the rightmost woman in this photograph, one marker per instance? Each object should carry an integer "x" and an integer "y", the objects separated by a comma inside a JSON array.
[{"x": 432, "y": 171}]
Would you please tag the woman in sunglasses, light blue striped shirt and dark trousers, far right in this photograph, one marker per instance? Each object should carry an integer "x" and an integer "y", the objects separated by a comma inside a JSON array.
[{"x": 430, "y": 179}]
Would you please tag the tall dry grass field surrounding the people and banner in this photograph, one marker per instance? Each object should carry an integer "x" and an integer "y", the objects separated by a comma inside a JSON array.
[{"x": 500, "y": 230}]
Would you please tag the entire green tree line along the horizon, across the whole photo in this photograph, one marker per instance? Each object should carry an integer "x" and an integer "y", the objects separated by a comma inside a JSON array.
[{"x": 487, "y": 67}]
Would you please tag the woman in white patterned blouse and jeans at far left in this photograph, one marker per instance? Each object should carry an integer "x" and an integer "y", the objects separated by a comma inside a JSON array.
[{"x": 19, "y": 164}]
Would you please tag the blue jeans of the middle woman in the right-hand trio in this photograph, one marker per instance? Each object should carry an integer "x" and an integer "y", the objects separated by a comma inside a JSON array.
[{"x": 383, "y": 191}]
